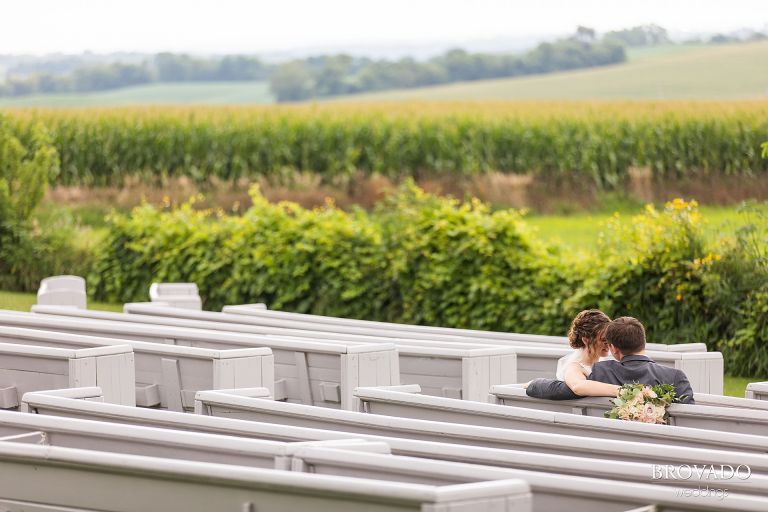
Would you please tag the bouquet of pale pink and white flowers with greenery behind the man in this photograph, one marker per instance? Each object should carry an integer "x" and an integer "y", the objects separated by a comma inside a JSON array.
[{"x": 647, "y": 404}]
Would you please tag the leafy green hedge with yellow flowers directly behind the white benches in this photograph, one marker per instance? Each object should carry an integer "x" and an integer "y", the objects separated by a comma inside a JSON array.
[{"x": 427, "y": 260}]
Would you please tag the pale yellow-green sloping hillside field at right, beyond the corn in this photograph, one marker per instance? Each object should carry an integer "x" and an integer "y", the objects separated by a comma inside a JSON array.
[{"x": 729, "y": 71}]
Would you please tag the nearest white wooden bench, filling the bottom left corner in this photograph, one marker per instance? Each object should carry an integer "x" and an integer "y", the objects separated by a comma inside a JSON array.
[{"x": 34, "y": 477}]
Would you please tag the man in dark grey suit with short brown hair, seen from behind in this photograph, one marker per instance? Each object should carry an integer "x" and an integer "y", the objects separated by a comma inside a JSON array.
[{"x": 625, "y": 337}]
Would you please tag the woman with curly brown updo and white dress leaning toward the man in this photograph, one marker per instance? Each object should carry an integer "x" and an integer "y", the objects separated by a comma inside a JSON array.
[{"x": 585, "y": 337}]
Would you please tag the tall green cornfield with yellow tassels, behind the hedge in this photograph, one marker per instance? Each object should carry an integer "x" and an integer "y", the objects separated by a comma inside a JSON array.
[{"x": 594, "y": 141}]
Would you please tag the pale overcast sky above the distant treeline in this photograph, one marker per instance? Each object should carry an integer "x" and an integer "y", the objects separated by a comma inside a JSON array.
[{"x": 229, "y": 26}]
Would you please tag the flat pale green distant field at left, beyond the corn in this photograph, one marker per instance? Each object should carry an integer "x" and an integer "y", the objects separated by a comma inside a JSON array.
[{"x": 195, "y": 93}]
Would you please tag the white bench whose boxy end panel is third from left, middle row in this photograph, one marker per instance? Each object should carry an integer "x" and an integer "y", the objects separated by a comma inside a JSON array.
[{"x": 310, "y": 372}]
